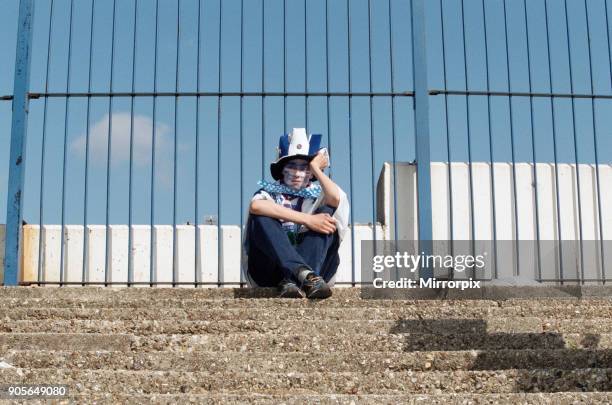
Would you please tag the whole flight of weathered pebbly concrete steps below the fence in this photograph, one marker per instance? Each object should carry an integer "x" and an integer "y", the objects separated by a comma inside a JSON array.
[{"x": 235, "y": 346}]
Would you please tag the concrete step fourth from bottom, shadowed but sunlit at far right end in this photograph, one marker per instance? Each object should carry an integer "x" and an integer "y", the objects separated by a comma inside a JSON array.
[{"x": 281, "y": 343}]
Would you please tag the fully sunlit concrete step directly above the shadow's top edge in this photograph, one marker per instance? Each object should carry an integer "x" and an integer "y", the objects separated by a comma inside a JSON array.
[{"x": 315, "y": 313}]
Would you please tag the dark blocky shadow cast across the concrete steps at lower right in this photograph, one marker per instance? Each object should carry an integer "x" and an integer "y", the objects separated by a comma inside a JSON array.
[{"x": 545, "y": 362}]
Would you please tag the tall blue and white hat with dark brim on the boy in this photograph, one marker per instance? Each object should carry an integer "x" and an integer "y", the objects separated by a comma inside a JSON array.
[{"x": 295, "y": 145}]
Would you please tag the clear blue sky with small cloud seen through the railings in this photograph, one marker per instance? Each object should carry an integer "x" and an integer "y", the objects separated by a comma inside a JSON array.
[{"x": 220, "y": 160}]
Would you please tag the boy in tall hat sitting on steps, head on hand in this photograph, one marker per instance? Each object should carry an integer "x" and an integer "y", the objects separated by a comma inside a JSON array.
[{"x": 295, "y": 226}]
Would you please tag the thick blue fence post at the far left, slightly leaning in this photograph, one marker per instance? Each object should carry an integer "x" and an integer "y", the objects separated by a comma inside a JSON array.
[{"x": 18, "y": 141}]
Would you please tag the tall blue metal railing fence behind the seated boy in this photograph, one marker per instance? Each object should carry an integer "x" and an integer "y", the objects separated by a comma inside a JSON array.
[{"x": 236, "y": 74}]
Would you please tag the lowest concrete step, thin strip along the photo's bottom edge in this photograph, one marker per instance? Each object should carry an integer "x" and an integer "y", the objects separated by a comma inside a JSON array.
[{"x": 557, "y": 398}]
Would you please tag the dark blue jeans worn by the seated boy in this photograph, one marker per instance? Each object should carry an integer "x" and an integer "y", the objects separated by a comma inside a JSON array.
[{"x": 272, "y": 257}]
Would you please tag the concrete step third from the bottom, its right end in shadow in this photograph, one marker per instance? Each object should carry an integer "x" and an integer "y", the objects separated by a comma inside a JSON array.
[{"x": 261, "y": 362}]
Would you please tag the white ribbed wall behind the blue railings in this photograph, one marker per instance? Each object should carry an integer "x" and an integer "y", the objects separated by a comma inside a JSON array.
[{"x": 501, "y": 222}]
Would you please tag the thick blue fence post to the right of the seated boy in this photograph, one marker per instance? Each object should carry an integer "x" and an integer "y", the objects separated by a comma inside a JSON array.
[{"x": 421, "y": 106}]
